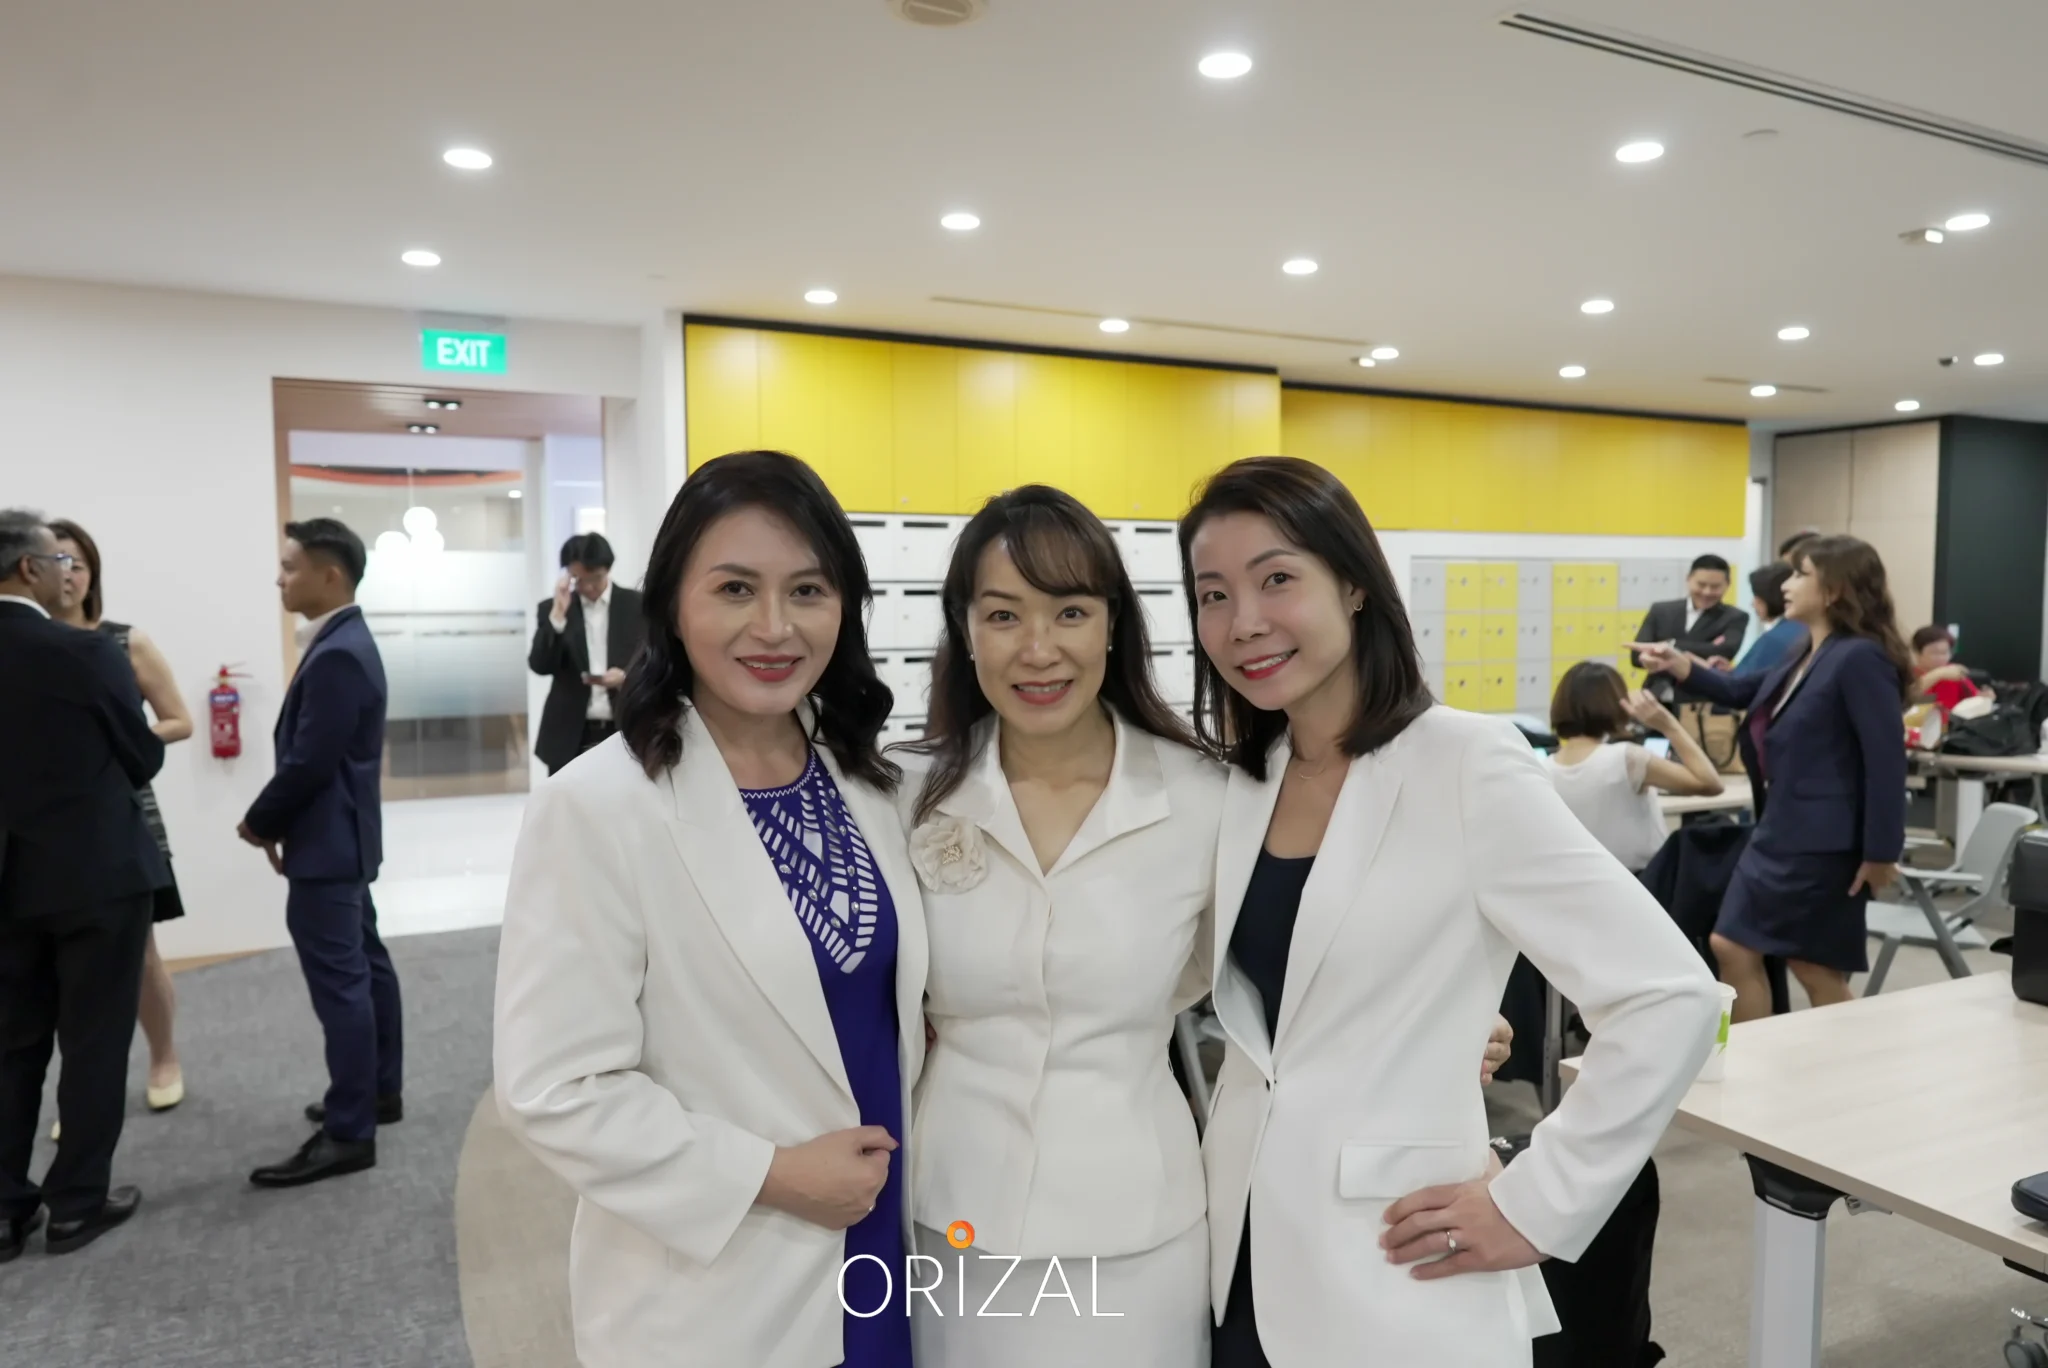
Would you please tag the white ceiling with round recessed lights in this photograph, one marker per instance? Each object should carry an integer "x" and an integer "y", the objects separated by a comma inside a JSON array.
[{"x": 1455, "y": 179}]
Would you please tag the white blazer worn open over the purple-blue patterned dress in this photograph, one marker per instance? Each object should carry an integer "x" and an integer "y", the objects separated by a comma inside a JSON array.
[{"x": 660, "y": 1033}]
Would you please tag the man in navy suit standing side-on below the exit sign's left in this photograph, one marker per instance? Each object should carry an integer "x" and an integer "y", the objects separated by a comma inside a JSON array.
[{"x": 321, "y": 820}]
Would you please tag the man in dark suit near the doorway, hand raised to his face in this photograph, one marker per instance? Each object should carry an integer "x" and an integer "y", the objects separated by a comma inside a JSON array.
[{"x": 585, "y": 640}]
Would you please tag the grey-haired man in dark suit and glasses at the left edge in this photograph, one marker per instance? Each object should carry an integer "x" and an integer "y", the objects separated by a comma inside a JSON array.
[{"x": 77, "y": 873}]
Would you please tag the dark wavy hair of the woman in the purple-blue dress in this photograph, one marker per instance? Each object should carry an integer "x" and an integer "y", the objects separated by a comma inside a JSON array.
[{"x": 851, "y": 701}]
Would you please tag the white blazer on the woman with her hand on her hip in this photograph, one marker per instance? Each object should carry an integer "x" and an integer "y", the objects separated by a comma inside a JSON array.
[{"x": 1447, "y": 853}]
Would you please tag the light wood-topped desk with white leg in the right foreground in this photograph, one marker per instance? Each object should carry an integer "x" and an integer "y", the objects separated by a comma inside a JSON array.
[{"x": 1926, "y": 1105}]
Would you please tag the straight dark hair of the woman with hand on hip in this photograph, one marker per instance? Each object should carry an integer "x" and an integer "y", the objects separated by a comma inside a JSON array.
[{"x": 1318, "y": 515}]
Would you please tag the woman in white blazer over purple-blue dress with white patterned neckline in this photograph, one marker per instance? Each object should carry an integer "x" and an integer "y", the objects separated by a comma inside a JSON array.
[{"x": 714, "y": 959}]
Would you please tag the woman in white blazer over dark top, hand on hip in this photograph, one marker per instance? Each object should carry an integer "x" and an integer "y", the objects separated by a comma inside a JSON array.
[{"x": 1381, "y": 865}]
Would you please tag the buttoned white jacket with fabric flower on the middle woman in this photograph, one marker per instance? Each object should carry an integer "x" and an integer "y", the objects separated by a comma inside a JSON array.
[{"x": 1048, "y": 1113}]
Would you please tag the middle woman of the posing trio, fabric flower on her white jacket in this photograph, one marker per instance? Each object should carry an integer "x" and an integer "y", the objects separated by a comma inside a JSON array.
[{"x": 1064, "y": 830}]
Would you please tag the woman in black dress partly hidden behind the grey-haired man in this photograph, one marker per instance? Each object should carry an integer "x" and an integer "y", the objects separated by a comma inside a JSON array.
[{"x": 83, "y": 605}]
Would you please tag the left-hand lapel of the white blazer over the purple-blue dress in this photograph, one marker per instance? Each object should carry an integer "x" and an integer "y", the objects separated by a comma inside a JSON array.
[{"x": 744, "y": 894}]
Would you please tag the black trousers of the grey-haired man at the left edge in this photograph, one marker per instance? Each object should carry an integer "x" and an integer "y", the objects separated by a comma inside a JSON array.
[{"x": 69, "y": 982}]
